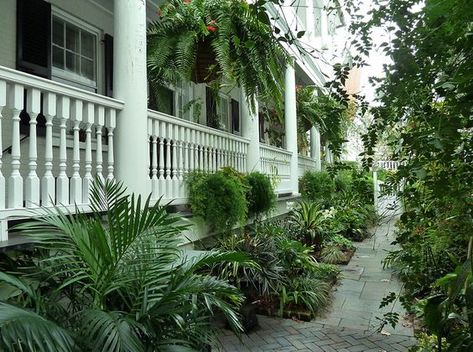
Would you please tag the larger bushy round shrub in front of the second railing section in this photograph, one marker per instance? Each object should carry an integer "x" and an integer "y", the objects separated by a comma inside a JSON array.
[{"x": 219, "y": 198}]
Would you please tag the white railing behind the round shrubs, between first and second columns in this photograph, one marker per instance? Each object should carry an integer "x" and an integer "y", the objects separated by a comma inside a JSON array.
[{"x": 177, "y": 147}]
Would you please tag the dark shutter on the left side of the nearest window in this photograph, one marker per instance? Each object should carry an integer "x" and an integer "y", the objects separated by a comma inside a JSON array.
[{"x": 34, "y": 37}]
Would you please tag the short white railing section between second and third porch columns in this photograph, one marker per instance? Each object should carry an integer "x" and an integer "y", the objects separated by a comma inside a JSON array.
[{"x": 275, "y": 162}]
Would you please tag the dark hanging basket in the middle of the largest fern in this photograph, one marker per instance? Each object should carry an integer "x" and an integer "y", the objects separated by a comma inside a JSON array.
[{"x": 206, "y": 66}]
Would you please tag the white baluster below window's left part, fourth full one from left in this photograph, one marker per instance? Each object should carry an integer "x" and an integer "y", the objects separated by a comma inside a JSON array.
[{"x": 62, "y": 190}]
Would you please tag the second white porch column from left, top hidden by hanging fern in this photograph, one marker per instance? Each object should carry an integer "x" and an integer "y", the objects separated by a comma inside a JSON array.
[{"x": 250, "y": 130}]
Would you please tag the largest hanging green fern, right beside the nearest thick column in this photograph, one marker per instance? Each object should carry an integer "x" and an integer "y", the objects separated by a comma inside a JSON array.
[{"x": 217, "y": 40}]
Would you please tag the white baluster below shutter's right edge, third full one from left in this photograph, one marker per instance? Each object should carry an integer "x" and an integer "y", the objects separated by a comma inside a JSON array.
[{"x": 48, "y": 187}]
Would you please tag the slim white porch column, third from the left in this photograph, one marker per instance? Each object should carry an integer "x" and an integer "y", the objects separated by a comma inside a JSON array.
[{"x": 290, "y": 118}]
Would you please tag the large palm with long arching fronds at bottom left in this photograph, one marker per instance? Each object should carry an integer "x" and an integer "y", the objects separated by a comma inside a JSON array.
[{"x": 112, "y": 281}]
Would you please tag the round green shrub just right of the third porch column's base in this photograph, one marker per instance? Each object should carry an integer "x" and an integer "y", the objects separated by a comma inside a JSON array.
[{"x": 317, "y": 186}]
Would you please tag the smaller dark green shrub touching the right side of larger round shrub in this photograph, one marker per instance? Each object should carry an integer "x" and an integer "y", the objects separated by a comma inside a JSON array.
[{"x": 260, "y": 196}]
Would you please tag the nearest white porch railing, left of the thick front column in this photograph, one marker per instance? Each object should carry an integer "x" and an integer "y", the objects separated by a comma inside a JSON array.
[{"x": 54, "y": 139}]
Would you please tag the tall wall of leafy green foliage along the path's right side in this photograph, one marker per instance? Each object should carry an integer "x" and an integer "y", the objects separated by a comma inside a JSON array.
[{"x": 425, "y": 105}]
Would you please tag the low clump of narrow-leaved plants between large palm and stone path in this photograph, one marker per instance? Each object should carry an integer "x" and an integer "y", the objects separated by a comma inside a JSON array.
[{"x": 283, "y": 278}]
